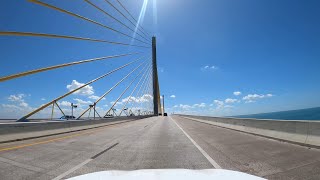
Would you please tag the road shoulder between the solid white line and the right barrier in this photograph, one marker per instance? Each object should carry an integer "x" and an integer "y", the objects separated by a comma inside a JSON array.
[{"x": 252, "y": 154}]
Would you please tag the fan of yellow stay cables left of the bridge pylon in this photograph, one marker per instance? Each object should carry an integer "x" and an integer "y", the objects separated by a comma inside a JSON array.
[{"x": 139, "y": 100}]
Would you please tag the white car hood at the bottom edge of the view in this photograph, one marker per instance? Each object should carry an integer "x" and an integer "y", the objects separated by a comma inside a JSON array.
[{"x": 168, "y": 174}]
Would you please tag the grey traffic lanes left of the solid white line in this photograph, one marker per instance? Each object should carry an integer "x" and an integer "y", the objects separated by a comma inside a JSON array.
[{"x": 142, "y": 144}]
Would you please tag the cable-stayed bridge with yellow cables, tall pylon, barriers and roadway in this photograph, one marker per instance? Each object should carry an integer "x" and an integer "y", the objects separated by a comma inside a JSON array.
[{"x": 138, "y": 135}]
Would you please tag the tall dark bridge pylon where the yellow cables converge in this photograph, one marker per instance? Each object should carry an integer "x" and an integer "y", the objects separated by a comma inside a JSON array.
[{"x": 156, "y": 93}]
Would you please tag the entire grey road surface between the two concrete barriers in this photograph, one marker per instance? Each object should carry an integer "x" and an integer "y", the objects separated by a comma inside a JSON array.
[{"x": 156, "y": 143}]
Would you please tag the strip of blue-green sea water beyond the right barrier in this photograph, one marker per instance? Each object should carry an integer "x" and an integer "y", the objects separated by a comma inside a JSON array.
[{"x": 300, "y": 114}]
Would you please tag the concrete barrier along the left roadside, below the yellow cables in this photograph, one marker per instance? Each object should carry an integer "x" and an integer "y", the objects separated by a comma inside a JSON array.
[{"x": 27, "y": 130}]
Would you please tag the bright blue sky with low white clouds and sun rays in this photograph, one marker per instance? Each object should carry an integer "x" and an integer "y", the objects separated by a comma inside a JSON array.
[{"x": 215, "y": 57}]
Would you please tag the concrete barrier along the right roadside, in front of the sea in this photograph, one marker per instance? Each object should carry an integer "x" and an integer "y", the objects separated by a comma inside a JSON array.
[{"x": 295, "y": 131}]
